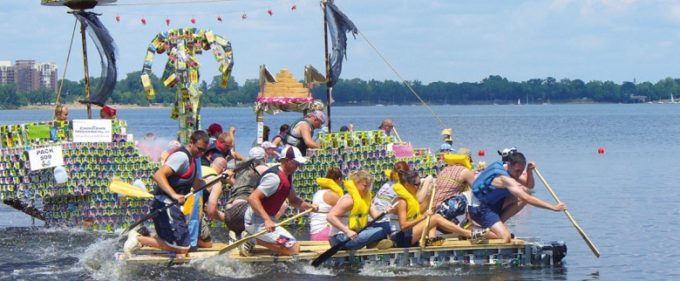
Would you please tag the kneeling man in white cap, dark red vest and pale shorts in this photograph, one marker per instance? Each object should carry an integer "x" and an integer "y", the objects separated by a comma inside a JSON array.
[{"x": 274, "y": 187}]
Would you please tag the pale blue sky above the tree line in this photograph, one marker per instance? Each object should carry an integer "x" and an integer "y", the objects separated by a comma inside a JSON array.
[{"x": 447, "y": 40}]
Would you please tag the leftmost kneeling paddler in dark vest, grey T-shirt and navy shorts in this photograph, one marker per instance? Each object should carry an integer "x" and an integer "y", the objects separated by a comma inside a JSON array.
[{"x": 174, "y": 180}]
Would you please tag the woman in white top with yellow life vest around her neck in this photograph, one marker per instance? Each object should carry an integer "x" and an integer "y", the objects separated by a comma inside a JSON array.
[{"x": 328, "y": 194}]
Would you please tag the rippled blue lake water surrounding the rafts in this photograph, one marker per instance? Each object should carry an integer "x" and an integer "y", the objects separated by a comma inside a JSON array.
[{"x": 626, "y": 200}]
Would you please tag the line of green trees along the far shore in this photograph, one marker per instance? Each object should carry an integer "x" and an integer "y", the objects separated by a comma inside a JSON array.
[{"x": 493, "y": 89}]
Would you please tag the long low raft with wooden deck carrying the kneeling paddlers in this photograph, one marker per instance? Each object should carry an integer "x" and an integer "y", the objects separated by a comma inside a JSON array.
[{"x": 517, "y": 253}]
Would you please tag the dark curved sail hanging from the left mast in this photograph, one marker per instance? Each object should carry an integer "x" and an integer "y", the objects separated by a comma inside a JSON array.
[{"x": 104, "y": 42}]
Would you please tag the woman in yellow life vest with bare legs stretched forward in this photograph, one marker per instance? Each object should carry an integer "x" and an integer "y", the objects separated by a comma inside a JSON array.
[{"x": 412, "y": 214}]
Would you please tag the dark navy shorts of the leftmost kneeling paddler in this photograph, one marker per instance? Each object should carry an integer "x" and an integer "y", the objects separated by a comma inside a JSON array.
[{"x": 170, "y": 225}]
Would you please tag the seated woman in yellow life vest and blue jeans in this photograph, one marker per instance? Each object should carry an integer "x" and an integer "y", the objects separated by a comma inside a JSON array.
[{"x": 350, "y": 215}]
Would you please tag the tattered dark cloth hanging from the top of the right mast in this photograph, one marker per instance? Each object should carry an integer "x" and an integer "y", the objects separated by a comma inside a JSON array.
[{"x": 338, "y": 25}]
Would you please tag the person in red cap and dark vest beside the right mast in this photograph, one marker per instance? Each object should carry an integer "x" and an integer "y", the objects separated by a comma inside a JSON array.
[{"x": 301, "y": 131}]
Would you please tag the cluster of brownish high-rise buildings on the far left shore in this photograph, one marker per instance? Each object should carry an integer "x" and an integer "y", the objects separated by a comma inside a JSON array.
[{"x": 28, "y": 75}]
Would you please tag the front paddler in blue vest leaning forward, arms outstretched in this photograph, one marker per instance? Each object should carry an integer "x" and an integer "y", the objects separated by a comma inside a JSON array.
[{"x": 497, "y": 193}]
